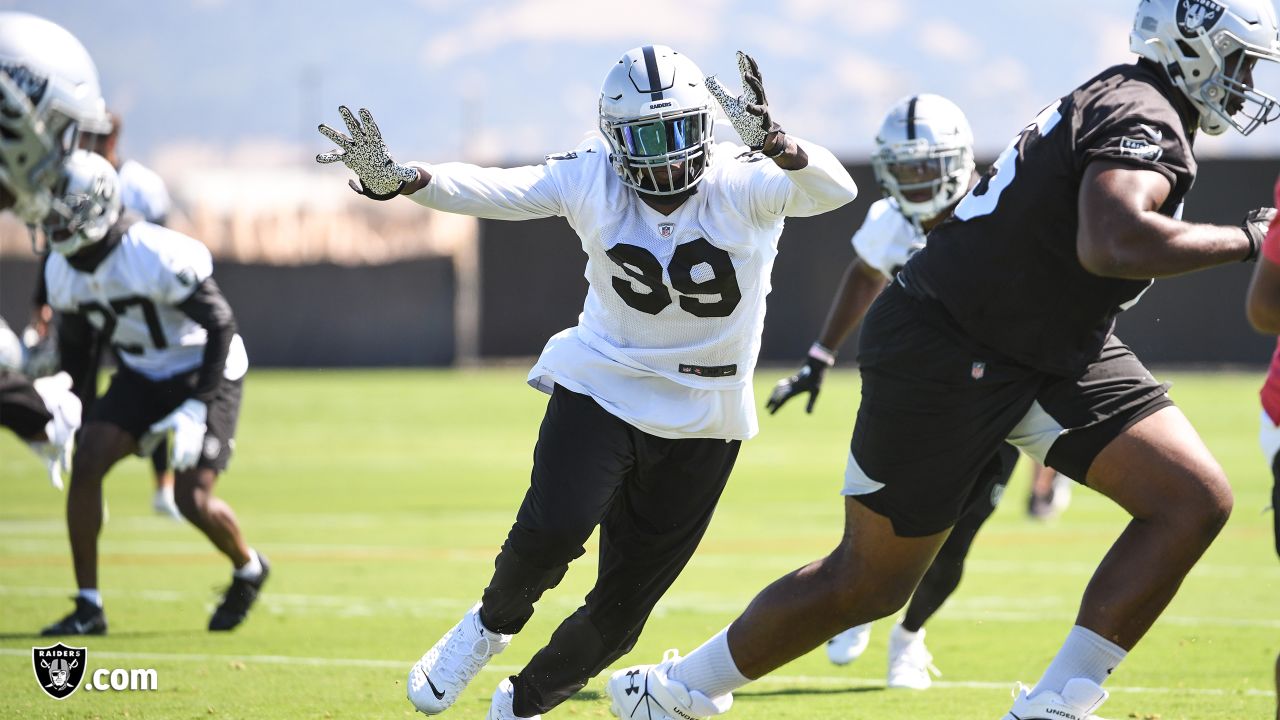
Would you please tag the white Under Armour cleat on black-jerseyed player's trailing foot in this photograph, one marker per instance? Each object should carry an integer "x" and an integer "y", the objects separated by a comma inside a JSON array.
[{"x": 644, "y": 692}]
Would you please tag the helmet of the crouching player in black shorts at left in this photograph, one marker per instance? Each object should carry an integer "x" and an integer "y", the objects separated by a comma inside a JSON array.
[{"x": 86, "y": 204}]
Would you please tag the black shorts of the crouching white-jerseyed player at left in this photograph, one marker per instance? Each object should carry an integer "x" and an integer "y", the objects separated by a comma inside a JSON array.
[{"x": 135, "y": 403}]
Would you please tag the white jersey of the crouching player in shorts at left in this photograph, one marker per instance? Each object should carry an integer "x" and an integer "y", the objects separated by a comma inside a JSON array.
[{"x": 132, "y": 297}]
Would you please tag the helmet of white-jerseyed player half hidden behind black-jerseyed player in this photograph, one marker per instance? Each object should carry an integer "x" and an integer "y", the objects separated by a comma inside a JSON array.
[{"x": 925, "y": 156}]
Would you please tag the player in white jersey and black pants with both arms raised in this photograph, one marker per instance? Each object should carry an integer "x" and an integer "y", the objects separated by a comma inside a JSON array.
[{"x": 651, "y": 393}]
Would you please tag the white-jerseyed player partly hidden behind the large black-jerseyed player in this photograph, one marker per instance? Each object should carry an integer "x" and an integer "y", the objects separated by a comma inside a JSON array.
[{"x": 925, "y": 165}]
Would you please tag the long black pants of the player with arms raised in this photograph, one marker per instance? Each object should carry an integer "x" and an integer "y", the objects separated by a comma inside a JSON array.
[{"x": 652, "y": 498}]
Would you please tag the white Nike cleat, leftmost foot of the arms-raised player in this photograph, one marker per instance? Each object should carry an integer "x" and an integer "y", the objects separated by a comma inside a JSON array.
[{"x": 438, "y": 678}]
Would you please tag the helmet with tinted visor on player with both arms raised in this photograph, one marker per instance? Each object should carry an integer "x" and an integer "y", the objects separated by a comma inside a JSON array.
[{"x": 657, "y": 116}]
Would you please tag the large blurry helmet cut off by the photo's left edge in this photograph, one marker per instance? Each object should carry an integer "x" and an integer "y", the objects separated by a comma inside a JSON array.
[{"x": 49, "y": 93}]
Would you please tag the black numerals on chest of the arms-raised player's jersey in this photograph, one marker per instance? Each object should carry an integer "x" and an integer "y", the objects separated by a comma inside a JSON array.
[{"x": 701, "y": 274}]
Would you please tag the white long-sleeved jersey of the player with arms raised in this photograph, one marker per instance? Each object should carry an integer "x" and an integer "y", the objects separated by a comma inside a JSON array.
[{"x": 675, "y": 308}]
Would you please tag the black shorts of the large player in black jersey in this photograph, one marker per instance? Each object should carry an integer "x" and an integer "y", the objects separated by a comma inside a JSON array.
[{"x": 936, "y": 407}]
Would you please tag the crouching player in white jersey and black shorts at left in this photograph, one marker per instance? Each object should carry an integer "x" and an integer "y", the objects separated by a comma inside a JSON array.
[{"x": 181, "y": 366}]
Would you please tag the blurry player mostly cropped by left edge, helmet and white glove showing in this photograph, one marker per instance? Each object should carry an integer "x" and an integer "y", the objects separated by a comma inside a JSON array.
[{"x": 49, "y": 94}]
